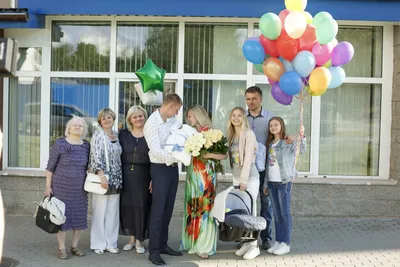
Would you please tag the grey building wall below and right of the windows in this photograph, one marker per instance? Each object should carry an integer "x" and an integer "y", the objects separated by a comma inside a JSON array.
[{"x": 21, "y": 194}]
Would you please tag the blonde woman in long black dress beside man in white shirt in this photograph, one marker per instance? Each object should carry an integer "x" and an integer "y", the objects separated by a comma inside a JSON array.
[{"x": 135, "y": 195}]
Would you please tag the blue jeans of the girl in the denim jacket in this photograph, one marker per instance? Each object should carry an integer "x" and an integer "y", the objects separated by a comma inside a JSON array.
[{"x": 280, "y": 200}]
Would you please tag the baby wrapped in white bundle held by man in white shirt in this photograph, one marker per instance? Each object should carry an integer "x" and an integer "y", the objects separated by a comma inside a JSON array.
[{"x": 176, "y": 142}]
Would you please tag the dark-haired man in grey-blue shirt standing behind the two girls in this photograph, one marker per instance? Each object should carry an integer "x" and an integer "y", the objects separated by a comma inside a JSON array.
[{"x": 258, "y": 119}]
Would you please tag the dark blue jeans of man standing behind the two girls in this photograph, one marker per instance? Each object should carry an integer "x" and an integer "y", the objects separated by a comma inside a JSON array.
[{"x": 265, "y": 211}]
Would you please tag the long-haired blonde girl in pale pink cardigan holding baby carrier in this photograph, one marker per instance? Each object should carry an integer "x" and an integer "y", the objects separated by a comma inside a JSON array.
[{"x": 242, "y": 155}]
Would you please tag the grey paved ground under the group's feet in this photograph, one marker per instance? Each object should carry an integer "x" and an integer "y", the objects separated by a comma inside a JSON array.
[{"x": 315, "y": 242}]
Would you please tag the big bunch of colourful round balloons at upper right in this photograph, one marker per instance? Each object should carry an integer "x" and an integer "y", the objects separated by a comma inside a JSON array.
[{"x": 298, "y": 52}]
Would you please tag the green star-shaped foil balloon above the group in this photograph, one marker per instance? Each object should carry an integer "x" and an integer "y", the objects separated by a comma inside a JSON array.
[{"x": 151, "y": 77}]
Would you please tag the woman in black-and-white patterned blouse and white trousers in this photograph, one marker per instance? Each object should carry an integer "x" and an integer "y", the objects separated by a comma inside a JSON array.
[{"x": 105, "y": 208}]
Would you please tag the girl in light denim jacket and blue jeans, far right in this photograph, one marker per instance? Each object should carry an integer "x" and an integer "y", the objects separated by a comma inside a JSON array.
[{"x": 279, "y": 174}]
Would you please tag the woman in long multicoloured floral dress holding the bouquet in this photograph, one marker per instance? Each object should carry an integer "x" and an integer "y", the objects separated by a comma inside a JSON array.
[{"x": 199, "y": 233}]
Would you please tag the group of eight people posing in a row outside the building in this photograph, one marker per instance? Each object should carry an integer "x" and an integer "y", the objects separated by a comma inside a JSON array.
[{"x": 143, "y": 179}]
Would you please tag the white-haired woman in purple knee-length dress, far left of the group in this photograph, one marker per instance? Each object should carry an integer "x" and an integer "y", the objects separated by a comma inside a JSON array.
[{"x": 65, "y": 177}]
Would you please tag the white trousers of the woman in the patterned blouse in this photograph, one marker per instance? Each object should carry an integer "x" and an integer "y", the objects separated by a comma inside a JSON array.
[{"x": 105, "y": 221}]
